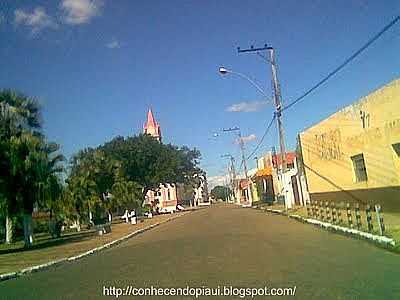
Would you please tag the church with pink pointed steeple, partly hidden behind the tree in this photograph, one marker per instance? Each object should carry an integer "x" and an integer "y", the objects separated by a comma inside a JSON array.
[{"x": 165, "y": 197}]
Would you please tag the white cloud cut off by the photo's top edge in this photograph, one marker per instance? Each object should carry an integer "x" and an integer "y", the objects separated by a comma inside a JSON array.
[{"x": 80, "y": 11}]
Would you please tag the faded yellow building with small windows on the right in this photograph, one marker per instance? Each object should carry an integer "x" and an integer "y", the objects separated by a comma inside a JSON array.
[{"x": 354, "y": 155}]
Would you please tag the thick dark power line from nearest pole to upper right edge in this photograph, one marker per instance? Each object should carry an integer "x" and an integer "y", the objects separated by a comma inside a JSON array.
[{"x": 346, "y": 62}]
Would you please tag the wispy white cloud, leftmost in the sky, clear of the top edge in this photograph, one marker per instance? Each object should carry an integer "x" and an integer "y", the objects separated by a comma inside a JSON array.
[{"x": 38, "y": 19}]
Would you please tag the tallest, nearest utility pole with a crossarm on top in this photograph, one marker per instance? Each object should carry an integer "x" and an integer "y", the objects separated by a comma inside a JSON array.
[{"x": 277, "y": 97}]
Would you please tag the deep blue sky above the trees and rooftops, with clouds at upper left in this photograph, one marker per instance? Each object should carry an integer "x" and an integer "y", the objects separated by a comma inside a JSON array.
[{"x": 97, "y": 66}]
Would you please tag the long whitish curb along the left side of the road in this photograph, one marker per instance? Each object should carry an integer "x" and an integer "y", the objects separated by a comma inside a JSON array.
[{"x": 41, "y": 267}]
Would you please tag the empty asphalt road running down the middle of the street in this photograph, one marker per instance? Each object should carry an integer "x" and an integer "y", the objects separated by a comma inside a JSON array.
[{"x": 225, "y": 245}]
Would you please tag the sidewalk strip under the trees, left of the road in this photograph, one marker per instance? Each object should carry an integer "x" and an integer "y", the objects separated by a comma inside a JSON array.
[{"x": 72, "y": 244}]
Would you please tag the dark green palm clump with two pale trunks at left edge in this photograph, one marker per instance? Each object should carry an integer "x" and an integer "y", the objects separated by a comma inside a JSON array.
[{"x": 29, "y": 165}]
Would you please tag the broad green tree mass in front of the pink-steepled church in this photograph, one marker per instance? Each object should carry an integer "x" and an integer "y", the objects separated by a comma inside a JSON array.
[{"x": 125, "y": 169}]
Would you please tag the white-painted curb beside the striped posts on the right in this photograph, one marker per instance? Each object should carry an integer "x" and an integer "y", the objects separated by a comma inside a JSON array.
[{"x": 377, "y": 239}]
